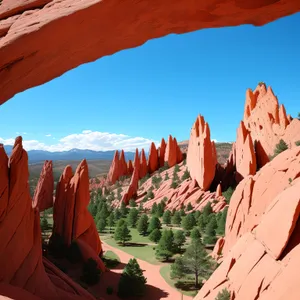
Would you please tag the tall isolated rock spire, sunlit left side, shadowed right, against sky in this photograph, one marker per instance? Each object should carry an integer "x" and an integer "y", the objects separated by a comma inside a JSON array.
[{"x": 201, "y": 156}]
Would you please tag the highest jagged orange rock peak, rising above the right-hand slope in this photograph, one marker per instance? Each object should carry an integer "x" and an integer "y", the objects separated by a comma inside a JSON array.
[{"x": 267, "y": 123}]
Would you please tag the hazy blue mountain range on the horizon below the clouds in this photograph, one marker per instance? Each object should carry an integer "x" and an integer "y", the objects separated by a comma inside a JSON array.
[{"x": 73, "y": 154}]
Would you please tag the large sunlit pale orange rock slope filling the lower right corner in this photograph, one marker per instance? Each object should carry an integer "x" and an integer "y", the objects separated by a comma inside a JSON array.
[{"x": 256, "y": 265}]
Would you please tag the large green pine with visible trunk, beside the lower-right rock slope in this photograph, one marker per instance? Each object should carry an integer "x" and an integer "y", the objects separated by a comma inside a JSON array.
[{"x": 196, "y": 261}]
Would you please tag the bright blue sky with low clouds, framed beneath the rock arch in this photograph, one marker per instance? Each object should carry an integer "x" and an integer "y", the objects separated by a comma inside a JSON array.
[{"x": 159, "y": 89}]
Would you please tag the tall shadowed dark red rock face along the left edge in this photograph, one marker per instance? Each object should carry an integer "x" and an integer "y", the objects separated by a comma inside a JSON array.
[{"x": 24, "y": 274}]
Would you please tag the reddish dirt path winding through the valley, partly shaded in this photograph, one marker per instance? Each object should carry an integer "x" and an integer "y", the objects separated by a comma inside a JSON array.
[{"x": 157, "y": 287}]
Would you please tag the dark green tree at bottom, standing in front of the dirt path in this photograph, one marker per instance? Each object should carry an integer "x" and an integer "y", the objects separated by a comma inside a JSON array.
[{"x": 132, "y": 282}]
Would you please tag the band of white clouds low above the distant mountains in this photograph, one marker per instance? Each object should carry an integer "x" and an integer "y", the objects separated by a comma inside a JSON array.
[{"x": 92, "y": 140}]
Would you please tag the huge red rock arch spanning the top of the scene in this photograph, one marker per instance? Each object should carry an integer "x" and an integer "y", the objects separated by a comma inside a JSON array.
[{"x": 26, "y": 22}]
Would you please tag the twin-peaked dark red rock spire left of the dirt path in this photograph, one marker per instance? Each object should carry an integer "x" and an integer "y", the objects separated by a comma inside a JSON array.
[{"x": 72, "y": 220}]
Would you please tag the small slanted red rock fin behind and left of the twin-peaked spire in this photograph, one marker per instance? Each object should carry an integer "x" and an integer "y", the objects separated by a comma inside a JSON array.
[{"x": 43, "y": 195}]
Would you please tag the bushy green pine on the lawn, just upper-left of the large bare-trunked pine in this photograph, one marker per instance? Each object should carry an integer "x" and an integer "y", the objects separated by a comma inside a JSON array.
[{"x": 166, "y": 247}]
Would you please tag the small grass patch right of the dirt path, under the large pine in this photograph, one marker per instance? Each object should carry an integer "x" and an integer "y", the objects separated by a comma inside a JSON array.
[{"x": 187, "y": 283}]
